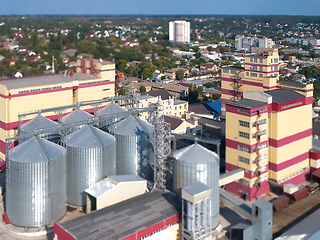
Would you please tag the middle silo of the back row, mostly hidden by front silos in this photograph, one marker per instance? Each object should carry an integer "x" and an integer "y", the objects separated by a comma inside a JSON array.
[{"x": 75, "y": 116}]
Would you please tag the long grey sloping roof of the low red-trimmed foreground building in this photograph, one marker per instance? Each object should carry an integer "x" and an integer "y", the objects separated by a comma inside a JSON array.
[{"x": 125, "y": 218}]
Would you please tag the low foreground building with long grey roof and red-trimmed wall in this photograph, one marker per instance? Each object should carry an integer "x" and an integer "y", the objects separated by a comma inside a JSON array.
[{"x": 149, "y": 216}]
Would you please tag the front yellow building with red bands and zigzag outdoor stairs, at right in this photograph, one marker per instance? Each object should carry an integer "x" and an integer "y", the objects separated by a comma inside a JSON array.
[{"x": 269, "y": 135}]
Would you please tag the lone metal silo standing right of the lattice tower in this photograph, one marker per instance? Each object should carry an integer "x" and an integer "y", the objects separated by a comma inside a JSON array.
[{"x": 194, "y": 164}]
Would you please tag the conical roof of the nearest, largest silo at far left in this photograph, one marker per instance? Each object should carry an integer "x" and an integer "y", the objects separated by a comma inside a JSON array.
[{"x": 36, "y": 150}]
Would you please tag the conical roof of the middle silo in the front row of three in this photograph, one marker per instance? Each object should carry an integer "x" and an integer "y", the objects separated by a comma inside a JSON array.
[{"x": 89, "y": 137}]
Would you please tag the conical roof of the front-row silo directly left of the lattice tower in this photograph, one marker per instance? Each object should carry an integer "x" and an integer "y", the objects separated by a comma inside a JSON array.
[{"x": 133, "y": 126}]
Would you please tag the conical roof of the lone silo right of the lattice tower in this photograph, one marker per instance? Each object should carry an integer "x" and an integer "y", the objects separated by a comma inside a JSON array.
[{"x": 195, "y": 153}]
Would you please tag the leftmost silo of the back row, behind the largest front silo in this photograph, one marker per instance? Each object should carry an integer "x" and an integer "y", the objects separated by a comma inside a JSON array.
[{"x": 39, "y": 123}]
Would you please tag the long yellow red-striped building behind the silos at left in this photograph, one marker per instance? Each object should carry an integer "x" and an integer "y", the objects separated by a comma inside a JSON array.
[{"x": 94, "y": 79}]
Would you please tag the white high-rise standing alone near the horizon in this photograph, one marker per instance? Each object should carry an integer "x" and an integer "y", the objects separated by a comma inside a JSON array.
[{"x": 179, "y": 31}]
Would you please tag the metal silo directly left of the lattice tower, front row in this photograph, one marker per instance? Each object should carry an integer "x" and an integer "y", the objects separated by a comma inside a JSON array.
[{"x": 134, "y": 150}]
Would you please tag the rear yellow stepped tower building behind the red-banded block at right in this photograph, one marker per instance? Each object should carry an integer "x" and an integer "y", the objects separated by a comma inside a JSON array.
[{"x": 261, "y": 73}]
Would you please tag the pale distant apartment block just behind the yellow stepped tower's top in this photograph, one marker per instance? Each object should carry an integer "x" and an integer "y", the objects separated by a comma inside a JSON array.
[{"x": 242, "y": 42}]
